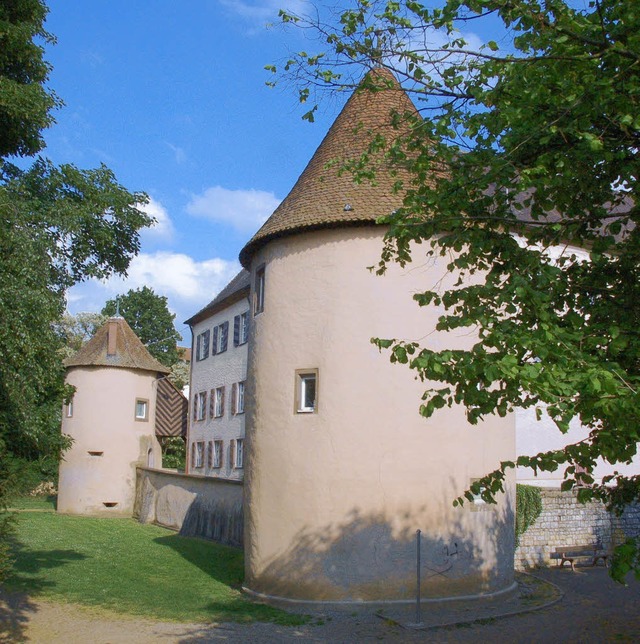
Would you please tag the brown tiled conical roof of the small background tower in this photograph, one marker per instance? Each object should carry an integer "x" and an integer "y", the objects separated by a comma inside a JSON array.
[{"x": 115, "y": 345}]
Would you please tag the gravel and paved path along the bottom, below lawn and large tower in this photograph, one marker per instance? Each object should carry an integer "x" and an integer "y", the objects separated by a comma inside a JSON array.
[{"x": 593, "y": 609}]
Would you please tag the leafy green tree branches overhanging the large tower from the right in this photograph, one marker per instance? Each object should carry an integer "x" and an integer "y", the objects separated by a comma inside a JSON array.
[{"x": 524, "y": 149}]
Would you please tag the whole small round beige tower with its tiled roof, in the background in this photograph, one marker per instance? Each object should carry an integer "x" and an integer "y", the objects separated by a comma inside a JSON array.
[{"x": 111, "y": 421}]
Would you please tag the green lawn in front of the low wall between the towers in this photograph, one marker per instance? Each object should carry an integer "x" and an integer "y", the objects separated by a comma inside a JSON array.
[{"x": 126, "y": 567}]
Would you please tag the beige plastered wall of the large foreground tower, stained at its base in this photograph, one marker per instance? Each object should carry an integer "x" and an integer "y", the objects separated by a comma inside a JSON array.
[{"x": 333, "y": 499}]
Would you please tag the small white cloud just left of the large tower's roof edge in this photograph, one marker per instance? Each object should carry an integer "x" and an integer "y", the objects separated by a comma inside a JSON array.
[{"x": 245, "y": 210}]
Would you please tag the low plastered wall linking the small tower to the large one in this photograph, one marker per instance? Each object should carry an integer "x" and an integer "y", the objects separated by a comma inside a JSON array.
[{"x": 196, "y": 506}]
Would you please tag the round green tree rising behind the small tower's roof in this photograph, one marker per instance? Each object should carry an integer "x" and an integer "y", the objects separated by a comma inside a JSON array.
[{"x": 148, "y": 315}]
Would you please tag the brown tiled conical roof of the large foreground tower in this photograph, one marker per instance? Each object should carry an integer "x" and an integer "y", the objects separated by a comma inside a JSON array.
[{"x": 324, "y": 197}]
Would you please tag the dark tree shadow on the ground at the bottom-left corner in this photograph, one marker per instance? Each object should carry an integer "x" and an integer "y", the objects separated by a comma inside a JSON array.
[{"x": 15, "y": 601}]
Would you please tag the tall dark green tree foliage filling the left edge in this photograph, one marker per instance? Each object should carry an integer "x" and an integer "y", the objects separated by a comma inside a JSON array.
[{"x": 58, "y": 226}]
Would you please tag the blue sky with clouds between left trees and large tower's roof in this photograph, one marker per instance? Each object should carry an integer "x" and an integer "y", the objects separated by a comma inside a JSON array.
[{"x": 172, "y": 97}]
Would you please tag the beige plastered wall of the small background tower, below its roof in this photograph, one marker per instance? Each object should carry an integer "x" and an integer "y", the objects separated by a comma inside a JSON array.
[{"x": 108, "y": 442}]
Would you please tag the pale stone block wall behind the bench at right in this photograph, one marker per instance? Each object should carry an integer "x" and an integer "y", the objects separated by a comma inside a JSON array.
[{"x": 565, "y": 522}]
